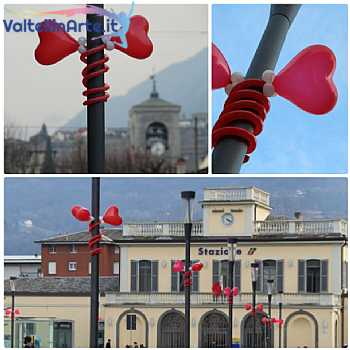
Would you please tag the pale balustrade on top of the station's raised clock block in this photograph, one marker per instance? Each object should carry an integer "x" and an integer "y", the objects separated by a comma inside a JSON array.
[{"x": 237, "y": 194}]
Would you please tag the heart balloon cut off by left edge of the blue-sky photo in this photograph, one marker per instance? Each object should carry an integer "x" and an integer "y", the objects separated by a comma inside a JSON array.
[{"x": 220, "y": 70}]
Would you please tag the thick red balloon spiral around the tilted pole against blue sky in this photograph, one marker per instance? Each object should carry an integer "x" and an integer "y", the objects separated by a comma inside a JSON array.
[{"x": 246, "y": 103}]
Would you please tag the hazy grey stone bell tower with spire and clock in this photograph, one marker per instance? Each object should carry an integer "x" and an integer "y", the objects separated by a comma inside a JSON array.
[{"x": 154, "y": 126}]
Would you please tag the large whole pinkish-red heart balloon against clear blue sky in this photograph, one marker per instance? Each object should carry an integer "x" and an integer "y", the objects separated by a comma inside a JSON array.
[{"x": 307, "y": 80}]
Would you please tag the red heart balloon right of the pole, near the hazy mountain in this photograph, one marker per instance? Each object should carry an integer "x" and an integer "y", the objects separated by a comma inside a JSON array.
[{"x": 139, "y": 44}]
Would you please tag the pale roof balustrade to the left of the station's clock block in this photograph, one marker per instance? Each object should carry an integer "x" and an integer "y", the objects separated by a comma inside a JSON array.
[{"x": 161, "y": 229}]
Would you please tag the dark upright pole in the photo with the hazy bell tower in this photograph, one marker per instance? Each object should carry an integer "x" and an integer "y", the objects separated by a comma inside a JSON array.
[{"x": 95, "y": 111}]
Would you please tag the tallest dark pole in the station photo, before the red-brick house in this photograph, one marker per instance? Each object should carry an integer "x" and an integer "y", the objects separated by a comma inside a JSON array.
[{"x": 94, "y": 303}]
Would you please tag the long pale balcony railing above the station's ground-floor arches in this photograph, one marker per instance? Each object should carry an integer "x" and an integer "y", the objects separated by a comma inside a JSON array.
[{"x": 207, "y": 298}]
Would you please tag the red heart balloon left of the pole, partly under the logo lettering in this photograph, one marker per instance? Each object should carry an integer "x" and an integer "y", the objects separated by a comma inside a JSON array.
[{"x": 54, "y": 44}]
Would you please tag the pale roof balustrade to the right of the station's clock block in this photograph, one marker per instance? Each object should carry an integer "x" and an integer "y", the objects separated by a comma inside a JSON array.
[{"x": 301, "y": 227}]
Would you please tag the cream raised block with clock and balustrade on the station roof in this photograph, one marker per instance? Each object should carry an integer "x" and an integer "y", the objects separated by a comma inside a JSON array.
[{"x": 233, "y": 211}]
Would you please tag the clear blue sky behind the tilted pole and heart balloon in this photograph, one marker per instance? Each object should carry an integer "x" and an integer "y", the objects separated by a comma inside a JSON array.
[{"x": 292, "y": 141}]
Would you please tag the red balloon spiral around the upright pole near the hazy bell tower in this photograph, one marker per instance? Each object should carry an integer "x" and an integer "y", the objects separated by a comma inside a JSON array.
[{"x": 93, "y": 70}]
